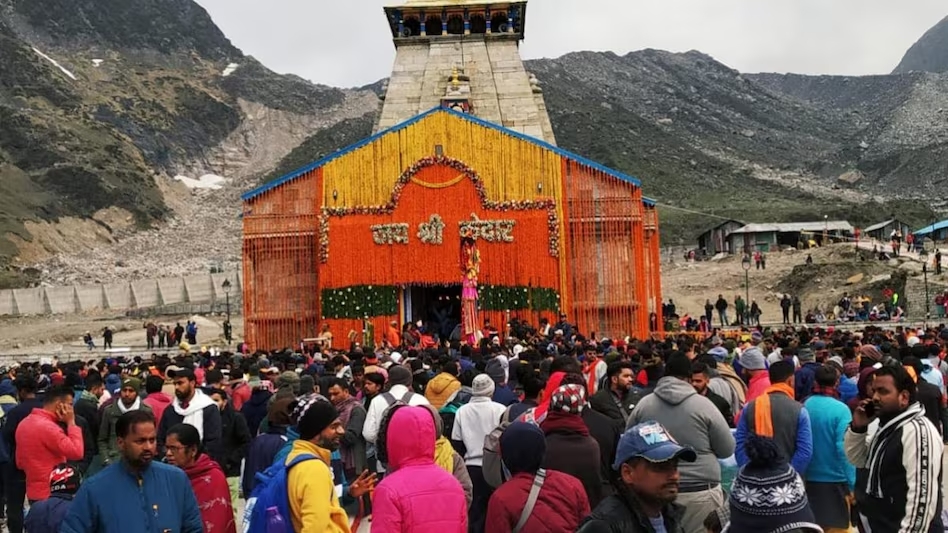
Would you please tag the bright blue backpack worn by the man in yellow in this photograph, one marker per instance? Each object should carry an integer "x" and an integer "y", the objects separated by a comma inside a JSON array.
[{"x": 268, "y": 508}]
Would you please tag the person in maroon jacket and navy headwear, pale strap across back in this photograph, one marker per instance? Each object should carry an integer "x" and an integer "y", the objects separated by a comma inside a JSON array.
[{"x": 561, "y": 503}]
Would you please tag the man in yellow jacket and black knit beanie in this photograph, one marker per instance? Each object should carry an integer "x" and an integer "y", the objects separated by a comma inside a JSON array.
[{"x": 313, "y": 493}]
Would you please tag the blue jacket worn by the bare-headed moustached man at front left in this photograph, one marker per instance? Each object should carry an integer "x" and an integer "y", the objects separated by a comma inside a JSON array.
[{"x": 160, "y": 499}]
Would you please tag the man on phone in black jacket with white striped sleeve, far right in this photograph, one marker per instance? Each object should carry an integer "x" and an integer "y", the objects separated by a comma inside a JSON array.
[{"x": 902, "y": 491}]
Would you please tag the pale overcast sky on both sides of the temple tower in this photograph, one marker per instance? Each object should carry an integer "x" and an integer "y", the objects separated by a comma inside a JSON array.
[{"x": 347, "y": 42}]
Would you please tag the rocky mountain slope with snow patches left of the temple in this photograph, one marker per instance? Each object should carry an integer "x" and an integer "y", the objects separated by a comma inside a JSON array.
[{"x": 103, "y": 103}]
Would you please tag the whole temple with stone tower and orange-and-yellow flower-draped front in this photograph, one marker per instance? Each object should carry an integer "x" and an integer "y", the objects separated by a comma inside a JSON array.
[{"x": 460, "y": 207}]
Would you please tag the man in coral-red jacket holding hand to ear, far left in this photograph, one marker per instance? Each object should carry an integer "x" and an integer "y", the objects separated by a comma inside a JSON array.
[{"x": 41, "y": 442}]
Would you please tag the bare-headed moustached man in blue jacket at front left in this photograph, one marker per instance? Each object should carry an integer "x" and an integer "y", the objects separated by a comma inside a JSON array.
[{"x": 135, "y": 494}]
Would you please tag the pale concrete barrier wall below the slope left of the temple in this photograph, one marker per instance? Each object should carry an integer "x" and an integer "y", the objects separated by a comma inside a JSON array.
[{"x": 122, "y": 296}]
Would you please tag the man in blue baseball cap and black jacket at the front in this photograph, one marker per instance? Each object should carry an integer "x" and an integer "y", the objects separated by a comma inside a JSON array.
[{"x": 647, "y": 461}]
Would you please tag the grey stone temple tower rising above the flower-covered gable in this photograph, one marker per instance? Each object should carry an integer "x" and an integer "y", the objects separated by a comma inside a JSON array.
[{"x": 465, "y": 55}]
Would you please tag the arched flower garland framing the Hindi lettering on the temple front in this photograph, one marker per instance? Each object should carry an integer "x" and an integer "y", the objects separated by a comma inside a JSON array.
[{"x": 466, "y": 171}]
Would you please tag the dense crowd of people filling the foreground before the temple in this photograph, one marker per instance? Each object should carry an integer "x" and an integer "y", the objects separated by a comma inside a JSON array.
[{"x": 774, "y": 431}]
